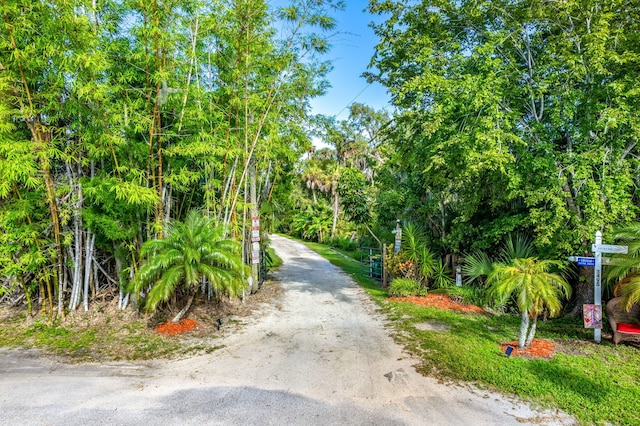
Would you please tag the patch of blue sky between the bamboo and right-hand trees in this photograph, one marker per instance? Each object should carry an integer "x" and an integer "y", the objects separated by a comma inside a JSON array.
[{"x": 352, "y": 49}]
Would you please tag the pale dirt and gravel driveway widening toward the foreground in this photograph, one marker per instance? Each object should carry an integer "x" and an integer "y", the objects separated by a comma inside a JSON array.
[{"x": 321, "y": 356}]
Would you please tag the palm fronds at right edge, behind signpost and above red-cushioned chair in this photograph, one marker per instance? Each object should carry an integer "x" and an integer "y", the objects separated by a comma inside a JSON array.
[{"x": 626, "y": 271}]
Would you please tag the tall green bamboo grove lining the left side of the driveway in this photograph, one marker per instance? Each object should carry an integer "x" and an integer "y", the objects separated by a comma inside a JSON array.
[{"x": 119, "y": 116}]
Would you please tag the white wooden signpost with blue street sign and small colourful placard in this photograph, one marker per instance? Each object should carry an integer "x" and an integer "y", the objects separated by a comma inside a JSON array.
[{"x": 598, "y": 248}]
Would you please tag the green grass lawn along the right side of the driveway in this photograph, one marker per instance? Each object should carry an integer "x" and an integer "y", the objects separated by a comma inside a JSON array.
[{"x": 596, "y": 383}]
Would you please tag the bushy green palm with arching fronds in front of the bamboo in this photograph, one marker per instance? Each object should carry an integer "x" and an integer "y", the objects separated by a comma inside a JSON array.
[{"x": 191, "y": 250}]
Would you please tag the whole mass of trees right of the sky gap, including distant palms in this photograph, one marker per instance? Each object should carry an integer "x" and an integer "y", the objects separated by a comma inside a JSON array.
[{"x": 510, "y": 117}]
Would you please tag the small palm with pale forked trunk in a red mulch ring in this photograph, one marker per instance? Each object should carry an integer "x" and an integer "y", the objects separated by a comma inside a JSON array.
[{"x": 534, "y": 287}]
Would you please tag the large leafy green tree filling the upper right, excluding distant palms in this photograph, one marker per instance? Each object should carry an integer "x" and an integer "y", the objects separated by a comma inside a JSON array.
[{"x": 513, "y": 116}]
